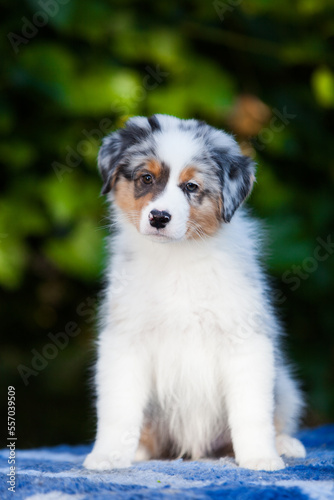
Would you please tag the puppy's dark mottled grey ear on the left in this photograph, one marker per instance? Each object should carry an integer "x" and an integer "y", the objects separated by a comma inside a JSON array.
[{"x": 109, "y": 158}]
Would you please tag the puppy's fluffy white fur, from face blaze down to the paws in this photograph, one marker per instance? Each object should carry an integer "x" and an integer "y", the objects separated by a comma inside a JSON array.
[{"x": 189, "y": 340}]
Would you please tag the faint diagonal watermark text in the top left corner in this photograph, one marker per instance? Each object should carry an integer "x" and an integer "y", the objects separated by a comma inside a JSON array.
[{"x": 31, "y": 27}]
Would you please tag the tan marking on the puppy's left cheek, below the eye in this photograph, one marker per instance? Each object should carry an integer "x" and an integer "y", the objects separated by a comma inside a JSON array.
[{"x": 125, "y": 199}]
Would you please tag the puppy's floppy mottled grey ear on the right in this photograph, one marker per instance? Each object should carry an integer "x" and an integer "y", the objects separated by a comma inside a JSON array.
[{"x": 237, "y": 175}]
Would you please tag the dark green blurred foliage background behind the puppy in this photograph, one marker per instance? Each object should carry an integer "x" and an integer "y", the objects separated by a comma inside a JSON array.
[{"x": 261, "y": 70}]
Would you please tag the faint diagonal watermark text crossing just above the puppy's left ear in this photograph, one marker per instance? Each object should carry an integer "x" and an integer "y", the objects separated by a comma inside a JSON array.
[{"x": 91, "y": 138}]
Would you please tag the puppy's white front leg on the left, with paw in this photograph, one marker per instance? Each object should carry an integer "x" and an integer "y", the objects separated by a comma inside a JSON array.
[{"x": 121, "y": 396}]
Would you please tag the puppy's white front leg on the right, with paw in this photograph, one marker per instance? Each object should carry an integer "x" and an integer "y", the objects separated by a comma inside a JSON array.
[{"x": 250, "y": 404}]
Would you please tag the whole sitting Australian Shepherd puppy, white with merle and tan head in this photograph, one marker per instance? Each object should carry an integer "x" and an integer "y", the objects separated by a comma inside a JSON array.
[{"x": 188, "y": 353}]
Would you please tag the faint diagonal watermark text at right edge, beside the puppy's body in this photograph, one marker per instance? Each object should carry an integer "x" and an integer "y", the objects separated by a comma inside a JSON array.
[{"x": 299, "y": 273}]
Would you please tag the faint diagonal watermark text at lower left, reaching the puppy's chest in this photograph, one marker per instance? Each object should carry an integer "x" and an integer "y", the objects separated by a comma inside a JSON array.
[{"x": 59, "y": 341}]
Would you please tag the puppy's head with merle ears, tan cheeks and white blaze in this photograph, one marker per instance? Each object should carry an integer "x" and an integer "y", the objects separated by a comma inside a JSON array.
[{"x": 174, "y": 179}]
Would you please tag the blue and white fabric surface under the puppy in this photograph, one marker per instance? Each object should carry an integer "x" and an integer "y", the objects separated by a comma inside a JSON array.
[{"x": 57, "y": 474}]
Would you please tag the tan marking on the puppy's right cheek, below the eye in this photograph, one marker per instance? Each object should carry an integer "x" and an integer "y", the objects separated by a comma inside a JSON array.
[{"x": 204, "y": 220}]
